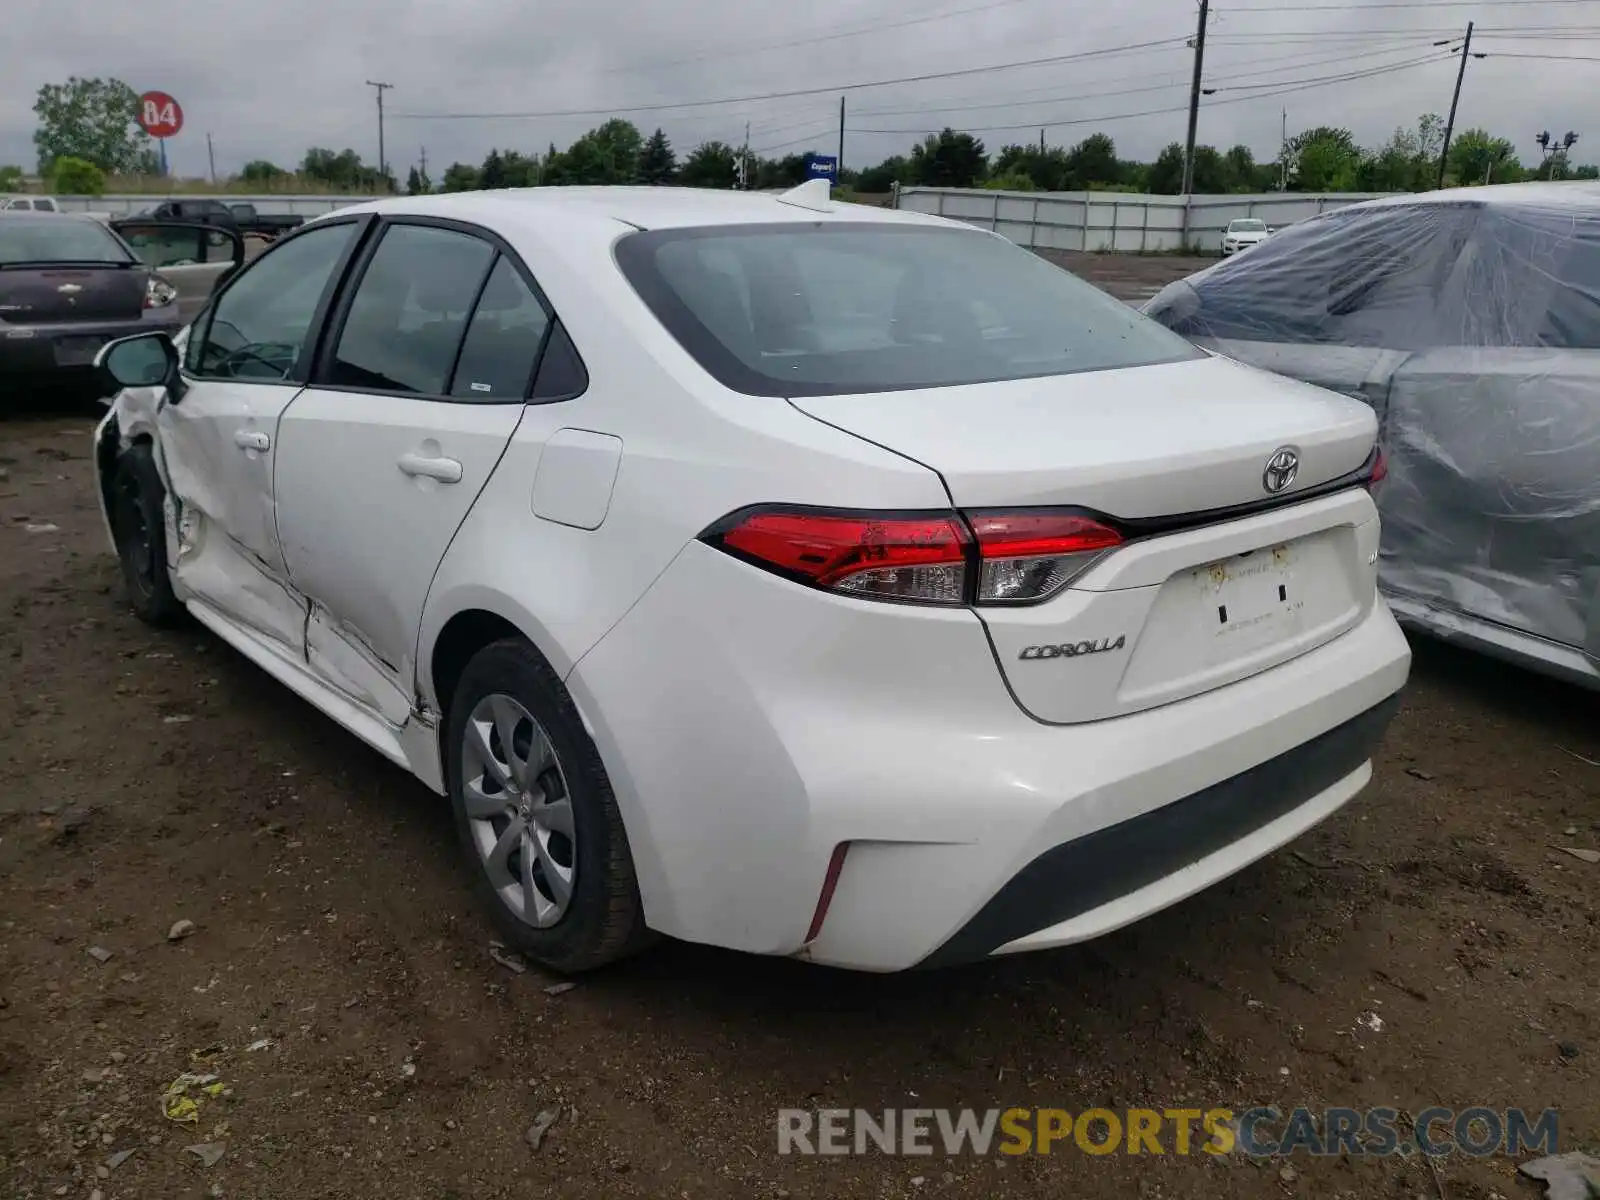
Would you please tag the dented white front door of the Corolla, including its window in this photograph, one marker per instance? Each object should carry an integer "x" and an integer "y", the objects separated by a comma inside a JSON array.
[{"x": 218, "y": 441}]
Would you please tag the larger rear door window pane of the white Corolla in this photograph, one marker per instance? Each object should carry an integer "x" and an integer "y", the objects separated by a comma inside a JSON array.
[{"x": 410, "y": 311}]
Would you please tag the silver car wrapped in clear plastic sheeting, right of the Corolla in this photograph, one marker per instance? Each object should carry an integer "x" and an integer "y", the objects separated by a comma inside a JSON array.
[{"x": 1470, "y": 321}]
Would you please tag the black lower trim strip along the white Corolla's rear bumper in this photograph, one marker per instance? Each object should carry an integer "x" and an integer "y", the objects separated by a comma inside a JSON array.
[{"x": 1087, "y": 873}]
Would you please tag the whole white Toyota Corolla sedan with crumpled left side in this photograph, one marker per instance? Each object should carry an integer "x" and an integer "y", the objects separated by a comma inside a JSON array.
[{"x": 769, "y": 572}]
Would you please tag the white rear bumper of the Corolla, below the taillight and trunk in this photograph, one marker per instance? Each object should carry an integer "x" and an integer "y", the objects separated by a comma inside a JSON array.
[{"x": 751, "y": 727}]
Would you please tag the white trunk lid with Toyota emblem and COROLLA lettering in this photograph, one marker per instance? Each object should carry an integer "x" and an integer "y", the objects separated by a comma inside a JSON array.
[{"x": 1194, "y": 599}]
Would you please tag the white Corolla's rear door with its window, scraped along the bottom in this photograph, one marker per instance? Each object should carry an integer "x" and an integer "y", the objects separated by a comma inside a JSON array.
[{"x": 420, "y": 388}]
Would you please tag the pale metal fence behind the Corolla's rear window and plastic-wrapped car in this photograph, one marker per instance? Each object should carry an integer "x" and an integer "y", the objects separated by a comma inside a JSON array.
[{"x": 1124, "y": 222}]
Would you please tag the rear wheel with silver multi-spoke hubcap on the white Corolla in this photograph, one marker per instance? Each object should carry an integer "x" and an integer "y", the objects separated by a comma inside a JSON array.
[{"x": 537, "y": 817}]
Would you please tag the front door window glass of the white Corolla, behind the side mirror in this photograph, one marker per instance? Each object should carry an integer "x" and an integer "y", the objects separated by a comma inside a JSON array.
[{"x": 262, "y": 322}]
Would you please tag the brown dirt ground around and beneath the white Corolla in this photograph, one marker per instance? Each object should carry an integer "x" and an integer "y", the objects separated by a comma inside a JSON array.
[{"x": 342, "y": 988}]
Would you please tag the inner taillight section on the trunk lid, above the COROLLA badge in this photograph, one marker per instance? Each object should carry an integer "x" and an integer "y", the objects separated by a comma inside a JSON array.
[{"x": 1031, "y": 556}]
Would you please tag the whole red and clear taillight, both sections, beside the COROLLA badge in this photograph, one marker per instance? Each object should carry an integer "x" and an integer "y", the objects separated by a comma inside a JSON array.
[{"x": 932, "y": 559}]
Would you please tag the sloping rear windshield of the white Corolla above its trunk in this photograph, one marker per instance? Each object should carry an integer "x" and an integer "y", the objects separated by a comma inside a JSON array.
[{"x": 831, "y": 310}]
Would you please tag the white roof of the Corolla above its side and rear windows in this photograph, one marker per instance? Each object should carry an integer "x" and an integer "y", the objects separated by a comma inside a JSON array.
[{"x": 639, "y": 207}]
